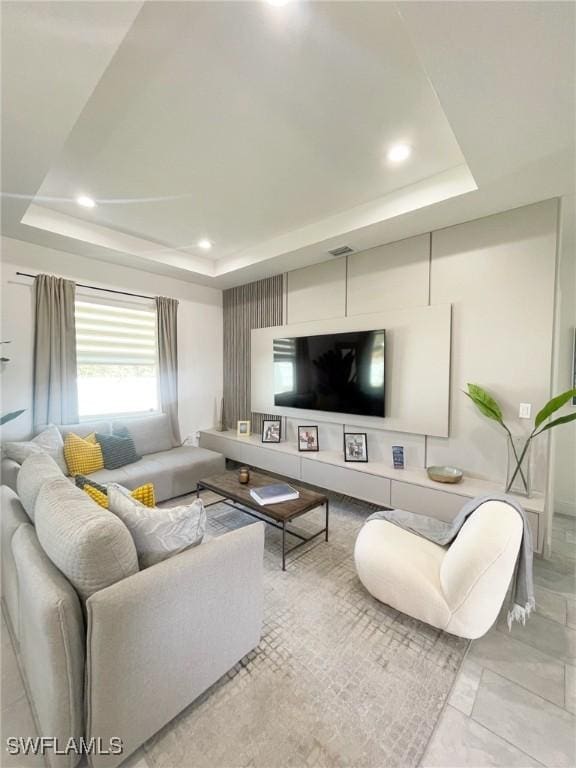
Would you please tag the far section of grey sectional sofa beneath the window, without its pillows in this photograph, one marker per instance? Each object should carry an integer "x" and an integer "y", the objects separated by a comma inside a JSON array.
[{"x": 174, "y": 470}]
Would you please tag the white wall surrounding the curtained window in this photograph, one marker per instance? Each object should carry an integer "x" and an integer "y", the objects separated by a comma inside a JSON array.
[{"x": 199, "y": 329}]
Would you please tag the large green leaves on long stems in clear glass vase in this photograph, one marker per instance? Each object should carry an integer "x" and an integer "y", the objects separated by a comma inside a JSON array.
[{"x": 488, "y": 406}]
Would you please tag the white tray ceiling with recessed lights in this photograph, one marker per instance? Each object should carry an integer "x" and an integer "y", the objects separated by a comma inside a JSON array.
[{"x": 265, "y": 128}]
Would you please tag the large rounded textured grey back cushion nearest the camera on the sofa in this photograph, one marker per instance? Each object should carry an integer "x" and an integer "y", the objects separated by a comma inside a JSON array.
[{"x": 91, "y": 546}]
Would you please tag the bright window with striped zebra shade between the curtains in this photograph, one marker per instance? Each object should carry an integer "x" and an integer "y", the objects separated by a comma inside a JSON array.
[{"x": 117, "y": 359}]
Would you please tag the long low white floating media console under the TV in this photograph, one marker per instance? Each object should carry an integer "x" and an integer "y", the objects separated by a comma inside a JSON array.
[{"x": 377, "y": 482}]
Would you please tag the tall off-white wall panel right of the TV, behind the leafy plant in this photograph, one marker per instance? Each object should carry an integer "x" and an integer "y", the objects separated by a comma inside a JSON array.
[{"x": 498, "y": 273}]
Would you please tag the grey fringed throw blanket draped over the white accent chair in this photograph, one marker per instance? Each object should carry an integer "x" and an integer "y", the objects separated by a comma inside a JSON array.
[{"x": 522, "y": 595}]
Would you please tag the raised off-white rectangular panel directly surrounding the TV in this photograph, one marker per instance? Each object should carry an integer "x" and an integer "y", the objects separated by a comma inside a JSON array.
[{"x": 417, "y": 369}]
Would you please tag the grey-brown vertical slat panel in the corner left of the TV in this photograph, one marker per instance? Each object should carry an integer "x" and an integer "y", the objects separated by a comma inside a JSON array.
[{"x": 255, "y": 305}]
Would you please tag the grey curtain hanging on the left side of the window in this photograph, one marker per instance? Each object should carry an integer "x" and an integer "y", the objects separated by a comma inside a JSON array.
[{"x": 55, "y": 386}]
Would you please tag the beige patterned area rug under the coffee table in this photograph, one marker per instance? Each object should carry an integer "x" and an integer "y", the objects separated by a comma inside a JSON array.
[{"x": 338, "y": 679}]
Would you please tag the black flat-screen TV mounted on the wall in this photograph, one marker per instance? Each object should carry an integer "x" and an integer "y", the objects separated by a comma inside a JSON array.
[{"x": 337, "y": 372}]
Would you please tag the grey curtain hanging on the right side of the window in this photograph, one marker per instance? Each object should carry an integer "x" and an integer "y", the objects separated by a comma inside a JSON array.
[{"x": 167, "y": 321}]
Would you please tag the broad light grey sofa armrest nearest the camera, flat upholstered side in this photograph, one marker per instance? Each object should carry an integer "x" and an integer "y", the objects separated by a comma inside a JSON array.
[{"x": 158, "y": 639}]
